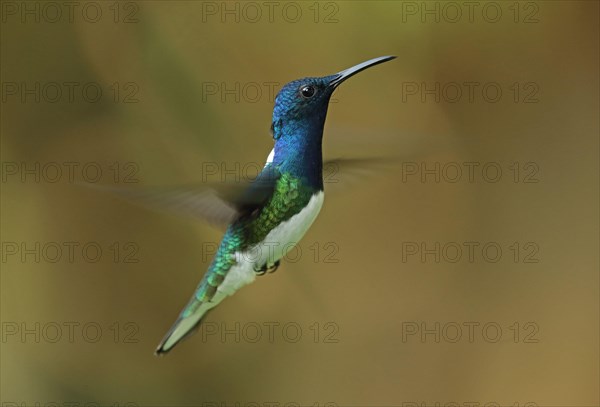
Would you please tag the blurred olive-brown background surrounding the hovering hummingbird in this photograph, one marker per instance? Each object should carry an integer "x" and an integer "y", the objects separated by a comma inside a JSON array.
[{"x": 466, "y": 273}]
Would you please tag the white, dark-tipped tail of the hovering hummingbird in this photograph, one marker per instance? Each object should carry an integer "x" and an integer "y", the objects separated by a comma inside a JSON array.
[{"x": 187, "y": 323}]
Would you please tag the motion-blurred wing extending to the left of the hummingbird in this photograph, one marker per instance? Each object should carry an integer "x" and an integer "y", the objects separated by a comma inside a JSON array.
[{"x": 217, "y": 204}]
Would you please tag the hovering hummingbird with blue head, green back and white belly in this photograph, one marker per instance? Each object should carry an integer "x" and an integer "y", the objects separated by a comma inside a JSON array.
[{"x": 276, "y": 209}]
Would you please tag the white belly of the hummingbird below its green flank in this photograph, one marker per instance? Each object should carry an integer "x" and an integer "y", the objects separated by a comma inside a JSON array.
[{"x": 278, "y": 242}]
